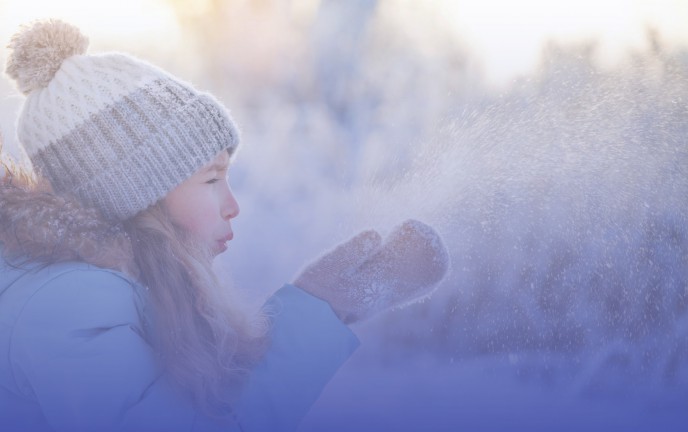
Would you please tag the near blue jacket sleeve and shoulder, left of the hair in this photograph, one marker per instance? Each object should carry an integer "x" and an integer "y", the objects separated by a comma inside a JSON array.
[{"x": 78, "y": 350}]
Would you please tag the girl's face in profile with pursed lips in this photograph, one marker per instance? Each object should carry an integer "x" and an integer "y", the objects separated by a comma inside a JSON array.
[{"x": 204, "y": 205}]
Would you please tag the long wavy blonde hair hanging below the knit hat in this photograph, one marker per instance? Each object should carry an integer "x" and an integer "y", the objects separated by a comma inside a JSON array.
[{"x": 203, "y": 337}]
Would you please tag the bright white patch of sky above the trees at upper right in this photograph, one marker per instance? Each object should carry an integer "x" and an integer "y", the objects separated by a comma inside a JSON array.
[{"x": 509, "y": 35}]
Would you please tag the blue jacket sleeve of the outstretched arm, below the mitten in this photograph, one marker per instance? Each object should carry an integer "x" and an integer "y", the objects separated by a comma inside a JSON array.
[{"x": 308, "y": 345}]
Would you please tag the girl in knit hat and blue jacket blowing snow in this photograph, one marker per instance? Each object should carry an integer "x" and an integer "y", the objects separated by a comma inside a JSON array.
[{"x": 110, "y": 316}]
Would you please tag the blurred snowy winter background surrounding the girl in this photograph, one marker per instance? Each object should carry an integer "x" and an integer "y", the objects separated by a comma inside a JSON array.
[{"x": 546, "y": 140}]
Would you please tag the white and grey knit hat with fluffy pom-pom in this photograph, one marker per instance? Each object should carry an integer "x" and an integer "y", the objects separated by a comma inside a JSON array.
[{"x": 113, "y": 131}]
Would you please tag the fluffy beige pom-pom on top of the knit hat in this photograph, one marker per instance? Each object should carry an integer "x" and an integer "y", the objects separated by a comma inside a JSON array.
[{"x": 38, "y": 51}]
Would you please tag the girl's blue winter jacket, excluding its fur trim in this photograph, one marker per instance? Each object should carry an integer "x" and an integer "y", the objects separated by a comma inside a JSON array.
[{"x": 73, "y": 357}]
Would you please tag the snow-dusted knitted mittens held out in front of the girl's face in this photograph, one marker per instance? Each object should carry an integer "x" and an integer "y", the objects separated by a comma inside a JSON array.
[{"x": 364, "y": 275}]
